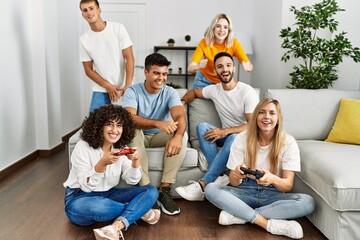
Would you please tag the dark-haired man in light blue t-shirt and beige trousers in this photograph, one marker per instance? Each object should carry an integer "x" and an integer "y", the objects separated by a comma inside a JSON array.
[{"x": 150, "y": 104}]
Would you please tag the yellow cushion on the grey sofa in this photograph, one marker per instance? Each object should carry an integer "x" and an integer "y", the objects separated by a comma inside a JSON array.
[{"x": 346, "y": 128}]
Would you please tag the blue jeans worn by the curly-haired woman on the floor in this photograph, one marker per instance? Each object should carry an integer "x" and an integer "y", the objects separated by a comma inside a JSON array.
[{"x": 123, "y": 204}]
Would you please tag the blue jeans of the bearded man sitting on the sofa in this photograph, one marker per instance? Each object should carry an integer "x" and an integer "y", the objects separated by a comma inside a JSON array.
[{"x": 216, "y": 159}]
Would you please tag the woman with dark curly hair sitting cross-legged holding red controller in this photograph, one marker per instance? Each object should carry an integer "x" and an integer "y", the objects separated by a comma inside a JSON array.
[{"x": 97, "y": 165}]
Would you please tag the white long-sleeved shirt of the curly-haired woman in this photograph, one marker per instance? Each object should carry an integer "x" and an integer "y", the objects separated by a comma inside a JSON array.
[{"x": 83, "y": 160}]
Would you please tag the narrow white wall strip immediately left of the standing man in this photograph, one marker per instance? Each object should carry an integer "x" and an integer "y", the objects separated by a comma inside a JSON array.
[{"x": 70, "y": 67}]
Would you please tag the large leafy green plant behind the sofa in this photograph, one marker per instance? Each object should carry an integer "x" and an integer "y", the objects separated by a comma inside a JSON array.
[{"x": 319, "y": 56}]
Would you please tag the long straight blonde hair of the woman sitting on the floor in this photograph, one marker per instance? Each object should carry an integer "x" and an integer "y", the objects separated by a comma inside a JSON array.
[{"x": 277, "y": 142}]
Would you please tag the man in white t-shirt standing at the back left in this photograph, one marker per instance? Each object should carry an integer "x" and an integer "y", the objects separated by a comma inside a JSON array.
[{"x": 107, "y": 56}]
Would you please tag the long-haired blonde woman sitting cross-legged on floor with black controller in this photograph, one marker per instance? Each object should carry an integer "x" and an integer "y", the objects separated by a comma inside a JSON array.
[{"x": 263, "y": 200}]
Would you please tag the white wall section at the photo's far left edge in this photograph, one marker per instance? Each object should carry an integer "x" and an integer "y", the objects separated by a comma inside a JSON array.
[{"x": 18, "y": 123}]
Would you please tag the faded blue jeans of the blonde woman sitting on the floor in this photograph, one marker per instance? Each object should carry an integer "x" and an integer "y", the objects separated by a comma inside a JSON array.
[{"x": 250, "y": 199}]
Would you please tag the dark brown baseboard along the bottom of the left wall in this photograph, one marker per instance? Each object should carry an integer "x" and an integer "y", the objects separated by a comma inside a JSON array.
[{"x": 34, "y": 155}]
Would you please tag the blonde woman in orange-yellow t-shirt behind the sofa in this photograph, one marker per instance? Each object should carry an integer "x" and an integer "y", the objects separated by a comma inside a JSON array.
[{"x": 219, "y": 37}]
